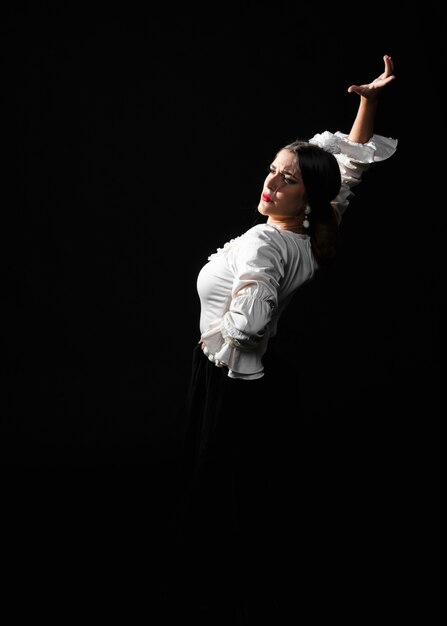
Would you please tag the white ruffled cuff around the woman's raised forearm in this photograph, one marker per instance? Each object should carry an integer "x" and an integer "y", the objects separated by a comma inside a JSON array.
[{"x": 378, "y": 148}]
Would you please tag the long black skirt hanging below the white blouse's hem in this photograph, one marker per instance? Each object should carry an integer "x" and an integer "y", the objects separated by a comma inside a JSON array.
[{"x": 223, "y": 526}]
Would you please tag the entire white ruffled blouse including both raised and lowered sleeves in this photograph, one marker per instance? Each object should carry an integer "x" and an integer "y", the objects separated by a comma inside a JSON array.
[{"x": 246, "y": 285}]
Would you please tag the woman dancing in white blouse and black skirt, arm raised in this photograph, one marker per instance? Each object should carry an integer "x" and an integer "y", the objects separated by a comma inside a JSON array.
[{"x": 234, "y": 430}]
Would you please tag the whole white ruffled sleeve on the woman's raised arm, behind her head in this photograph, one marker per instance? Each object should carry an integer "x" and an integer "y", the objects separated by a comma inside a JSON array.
[{"x": 353, "y": 159}]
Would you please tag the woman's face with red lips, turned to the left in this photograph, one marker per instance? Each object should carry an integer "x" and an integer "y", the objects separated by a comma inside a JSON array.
[{"x": 283, "y": 197}]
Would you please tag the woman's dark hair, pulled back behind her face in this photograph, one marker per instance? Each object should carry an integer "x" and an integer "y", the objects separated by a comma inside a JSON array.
[{"x": 322, "y": 179}]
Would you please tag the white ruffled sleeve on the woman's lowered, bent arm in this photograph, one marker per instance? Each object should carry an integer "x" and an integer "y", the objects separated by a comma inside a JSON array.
[{"x": 238, "y": 340}]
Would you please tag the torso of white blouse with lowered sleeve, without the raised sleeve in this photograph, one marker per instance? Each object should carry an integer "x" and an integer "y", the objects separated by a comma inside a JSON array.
[{"x": 243, "y": 289}]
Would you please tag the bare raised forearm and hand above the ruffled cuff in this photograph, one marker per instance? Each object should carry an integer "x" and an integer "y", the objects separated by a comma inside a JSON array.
[{"x": 363, "y": 127}]
